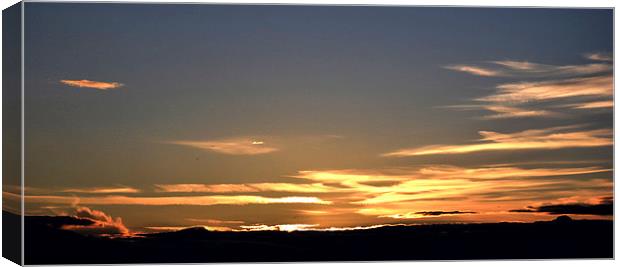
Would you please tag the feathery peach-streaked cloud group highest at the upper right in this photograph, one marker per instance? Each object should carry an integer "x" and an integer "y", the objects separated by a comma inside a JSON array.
[{"x": 578, "y": 83}]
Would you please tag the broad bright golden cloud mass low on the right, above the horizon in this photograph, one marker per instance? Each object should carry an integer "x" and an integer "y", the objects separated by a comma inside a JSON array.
[{"x": 453, "y": 184}]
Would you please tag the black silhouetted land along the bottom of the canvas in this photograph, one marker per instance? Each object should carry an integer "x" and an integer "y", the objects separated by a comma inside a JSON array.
[{"x": 46, "y": 243}]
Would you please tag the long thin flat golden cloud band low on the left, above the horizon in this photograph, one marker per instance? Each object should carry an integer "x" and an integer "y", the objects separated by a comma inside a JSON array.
[{"x": 175, "y": 200}]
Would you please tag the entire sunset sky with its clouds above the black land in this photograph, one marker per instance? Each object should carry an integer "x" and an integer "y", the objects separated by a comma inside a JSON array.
[{"x": 150, "y": 117}]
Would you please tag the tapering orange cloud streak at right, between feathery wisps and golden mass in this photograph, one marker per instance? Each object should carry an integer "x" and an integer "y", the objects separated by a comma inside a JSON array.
[{"x": 549, "y": 138}]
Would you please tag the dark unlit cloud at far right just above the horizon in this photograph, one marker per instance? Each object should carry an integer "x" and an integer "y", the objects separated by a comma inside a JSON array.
[{"x": 605, "y": 207}]
